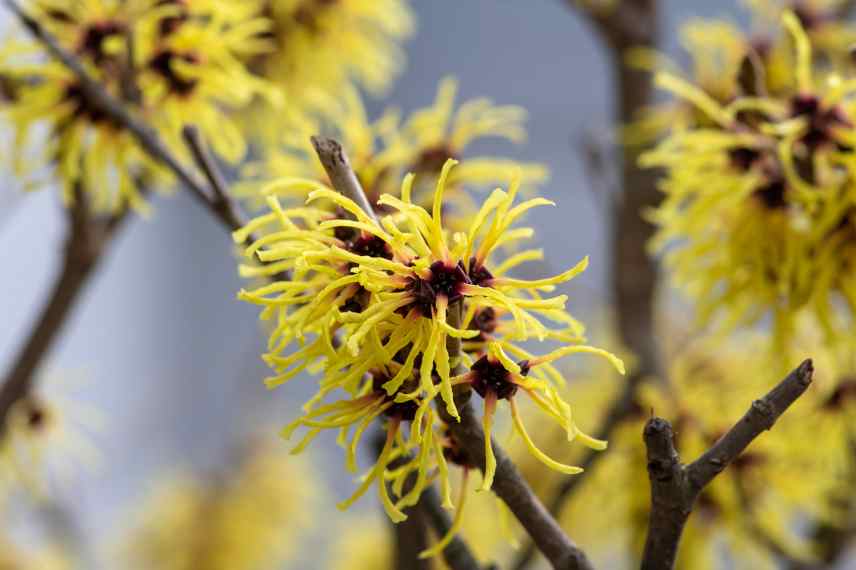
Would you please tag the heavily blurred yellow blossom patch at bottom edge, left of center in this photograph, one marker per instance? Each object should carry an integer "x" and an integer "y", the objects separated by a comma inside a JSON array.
[{"x": 233, "y": 522}]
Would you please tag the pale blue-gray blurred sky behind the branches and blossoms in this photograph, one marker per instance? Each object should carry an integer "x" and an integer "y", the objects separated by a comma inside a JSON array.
[{"x": 167, "y": 352}]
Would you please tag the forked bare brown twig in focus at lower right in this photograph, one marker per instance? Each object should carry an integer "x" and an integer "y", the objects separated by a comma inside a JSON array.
[{"x": 675, "y": 487}]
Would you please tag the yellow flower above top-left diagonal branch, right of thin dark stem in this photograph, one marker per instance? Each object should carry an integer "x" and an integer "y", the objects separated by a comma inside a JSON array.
[{"x": 189, "y": 61}]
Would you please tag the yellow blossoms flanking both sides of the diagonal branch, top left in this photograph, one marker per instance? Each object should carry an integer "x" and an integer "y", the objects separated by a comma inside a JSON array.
[{"x": 169, "y": 62}]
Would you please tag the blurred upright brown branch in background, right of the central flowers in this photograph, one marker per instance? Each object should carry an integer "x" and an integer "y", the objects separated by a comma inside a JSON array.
[{"x": 633, "y": 277}]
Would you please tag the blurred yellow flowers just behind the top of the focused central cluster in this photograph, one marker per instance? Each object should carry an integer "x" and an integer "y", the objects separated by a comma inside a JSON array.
[{"x": 384, "y": 150}]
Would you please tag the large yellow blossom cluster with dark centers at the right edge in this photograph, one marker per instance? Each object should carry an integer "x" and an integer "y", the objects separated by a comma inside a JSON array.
[{"x": 757, "y": 220}]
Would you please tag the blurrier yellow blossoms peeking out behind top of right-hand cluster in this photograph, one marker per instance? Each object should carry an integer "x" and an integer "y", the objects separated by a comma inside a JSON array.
[{"x": 726, "y": 62}]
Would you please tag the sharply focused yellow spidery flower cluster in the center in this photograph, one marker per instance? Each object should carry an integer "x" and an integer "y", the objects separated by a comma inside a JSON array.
[{"x": 398, "y": 313}]
